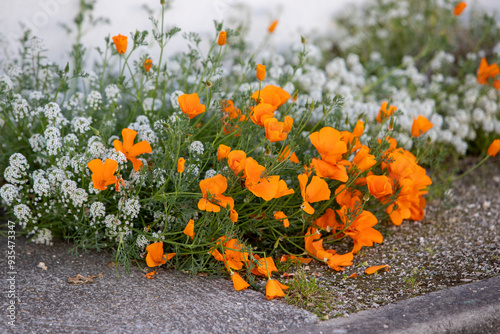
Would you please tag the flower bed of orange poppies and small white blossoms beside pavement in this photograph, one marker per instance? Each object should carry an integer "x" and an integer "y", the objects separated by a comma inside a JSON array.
[{"x": 219, "y": 162}]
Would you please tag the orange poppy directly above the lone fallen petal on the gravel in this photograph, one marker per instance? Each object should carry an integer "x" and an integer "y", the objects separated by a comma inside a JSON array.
[{"x": 361, "y": 229}]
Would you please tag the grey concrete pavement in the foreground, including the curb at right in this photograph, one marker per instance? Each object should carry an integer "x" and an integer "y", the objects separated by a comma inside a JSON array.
[{"x": 178, "y": 303}]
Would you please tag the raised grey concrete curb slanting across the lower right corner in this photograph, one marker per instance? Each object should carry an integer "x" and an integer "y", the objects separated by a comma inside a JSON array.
[{"x": 469, "y": 308}]
